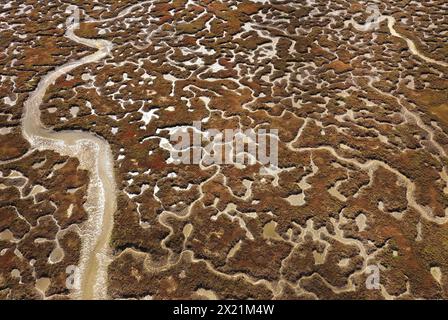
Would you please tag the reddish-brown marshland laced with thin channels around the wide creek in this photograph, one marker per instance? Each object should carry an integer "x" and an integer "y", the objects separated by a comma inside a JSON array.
[{"x": 363, "y": 143}]
